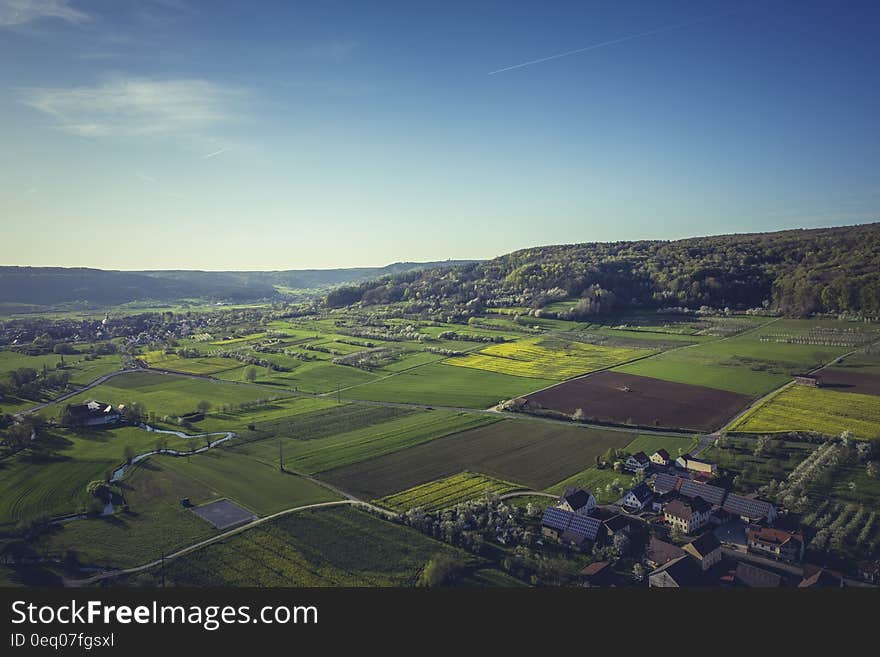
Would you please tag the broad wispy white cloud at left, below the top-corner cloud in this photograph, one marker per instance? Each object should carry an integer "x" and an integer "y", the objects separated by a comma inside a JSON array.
[{"x": 135, "y": 106}]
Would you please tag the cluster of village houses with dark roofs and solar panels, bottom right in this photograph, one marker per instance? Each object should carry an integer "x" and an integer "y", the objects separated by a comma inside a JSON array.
[{"x": 686, "y": 504}]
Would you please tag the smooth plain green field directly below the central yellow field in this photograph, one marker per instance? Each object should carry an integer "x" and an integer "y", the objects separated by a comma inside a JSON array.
[{"x": 444, "y": 385}]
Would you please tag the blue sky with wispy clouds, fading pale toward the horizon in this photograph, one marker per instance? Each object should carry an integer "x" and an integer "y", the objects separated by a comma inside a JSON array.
[{"x": 151, "y": 134}]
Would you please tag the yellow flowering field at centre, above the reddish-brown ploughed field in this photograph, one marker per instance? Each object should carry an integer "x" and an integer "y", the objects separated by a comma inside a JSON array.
[{"x": 546, "y": 358}]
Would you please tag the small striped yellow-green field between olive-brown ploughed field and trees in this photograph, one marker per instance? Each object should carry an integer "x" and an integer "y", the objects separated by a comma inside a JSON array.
[{"x": 446, "y": 492}]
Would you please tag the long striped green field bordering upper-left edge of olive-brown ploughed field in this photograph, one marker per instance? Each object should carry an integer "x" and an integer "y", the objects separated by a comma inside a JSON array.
[{"x": 371, "y": 441}]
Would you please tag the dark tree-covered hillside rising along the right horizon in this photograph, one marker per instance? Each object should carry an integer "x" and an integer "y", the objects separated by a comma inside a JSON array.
[{"x": 797, "y": 272}]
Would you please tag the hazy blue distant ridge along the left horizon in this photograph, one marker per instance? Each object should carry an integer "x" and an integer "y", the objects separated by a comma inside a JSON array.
[{"x": 52, "y": 286}]
